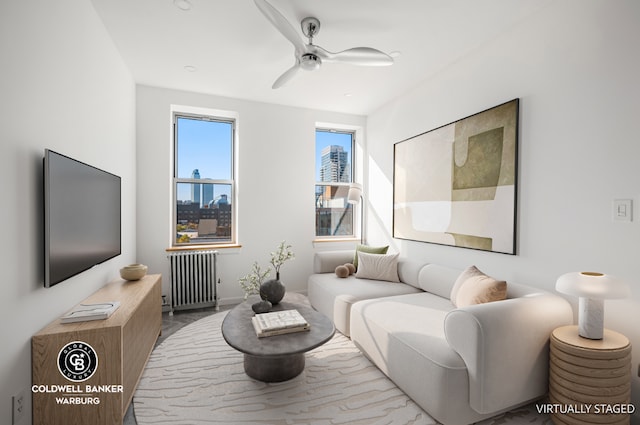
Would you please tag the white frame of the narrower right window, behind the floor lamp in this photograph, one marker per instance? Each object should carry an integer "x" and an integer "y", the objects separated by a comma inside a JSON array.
[{"x": 352, "y": 174}]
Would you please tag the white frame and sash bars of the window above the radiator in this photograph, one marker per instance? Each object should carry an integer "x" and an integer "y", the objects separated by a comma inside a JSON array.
[{"x": 209, "y": 116}]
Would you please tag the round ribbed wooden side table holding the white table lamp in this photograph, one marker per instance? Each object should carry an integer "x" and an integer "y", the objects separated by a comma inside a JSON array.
[{"x": 589, "y": 380}]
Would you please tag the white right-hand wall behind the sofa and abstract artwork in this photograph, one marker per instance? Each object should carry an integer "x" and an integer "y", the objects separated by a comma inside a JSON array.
[{"x": 575, "y": 66}]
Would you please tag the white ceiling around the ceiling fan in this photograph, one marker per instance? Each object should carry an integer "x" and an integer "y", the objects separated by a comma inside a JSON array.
[{"x": 237, "y": 53}]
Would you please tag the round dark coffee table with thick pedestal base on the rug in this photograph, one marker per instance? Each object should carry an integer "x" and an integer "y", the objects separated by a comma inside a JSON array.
[{"x": 281, "y": 357}]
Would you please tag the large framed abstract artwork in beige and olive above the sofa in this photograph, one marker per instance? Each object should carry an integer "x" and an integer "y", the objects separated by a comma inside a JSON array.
[{"x": 457, "y": 184}]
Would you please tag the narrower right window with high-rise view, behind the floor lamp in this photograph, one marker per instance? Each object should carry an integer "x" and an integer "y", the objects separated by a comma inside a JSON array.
[{"x": 334, "y": 173}]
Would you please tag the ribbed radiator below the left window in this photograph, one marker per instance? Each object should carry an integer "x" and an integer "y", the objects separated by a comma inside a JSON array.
[{"x": 193, "y": 279}]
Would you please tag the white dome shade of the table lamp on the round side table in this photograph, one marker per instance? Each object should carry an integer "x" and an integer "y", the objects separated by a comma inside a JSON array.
[{"x": 592, "y": 285}]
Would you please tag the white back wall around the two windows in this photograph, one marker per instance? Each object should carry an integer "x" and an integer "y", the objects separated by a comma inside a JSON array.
[{"x": 276, "y": 180}]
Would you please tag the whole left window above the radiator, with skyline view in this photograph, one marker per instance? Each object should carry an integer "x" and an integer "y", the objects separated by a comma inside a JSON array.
[{"x": 203, "y": 180}]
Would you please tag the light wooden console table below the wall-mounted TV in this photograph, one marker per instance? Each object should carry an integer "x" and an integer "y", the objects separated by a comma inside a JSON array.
[{"x": 122, "y": 344}]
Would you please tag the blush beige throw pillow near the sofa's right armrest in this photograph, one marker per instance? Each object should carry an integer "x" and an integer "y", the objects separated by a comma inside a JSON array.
[{"x": 474, "y": 287}]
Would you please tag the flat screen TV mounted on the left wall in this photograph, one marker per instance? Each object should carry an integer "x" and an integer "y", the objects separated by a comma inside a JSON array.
[{"x": 82, "y": 217}]
